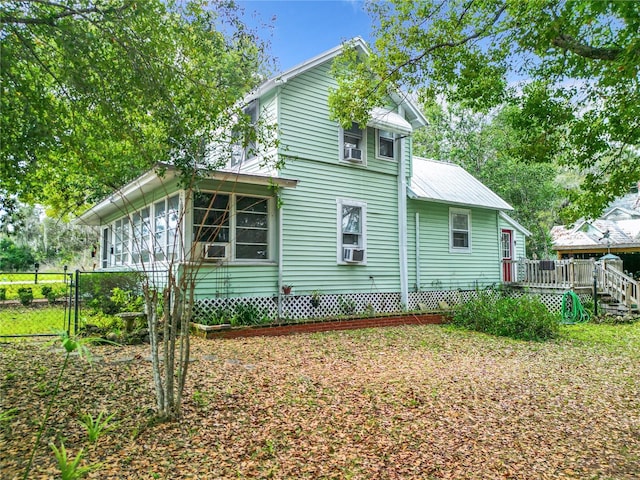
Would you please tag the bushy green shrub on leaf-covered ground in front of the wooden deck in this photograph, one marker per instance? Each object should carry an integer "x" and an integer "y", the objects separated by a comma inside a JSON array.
[{"x": 524, "y": 318}]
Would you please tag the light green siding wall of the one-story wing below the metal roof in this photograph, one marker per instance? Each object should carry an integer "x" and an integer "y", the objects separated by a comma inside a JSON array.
[{"x": 439, "y": 269}]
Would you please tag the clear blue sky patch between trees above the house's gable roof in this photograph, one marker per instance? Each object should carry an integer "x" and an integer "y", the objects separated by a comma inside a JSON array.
[{"x": 303, "y": 29}]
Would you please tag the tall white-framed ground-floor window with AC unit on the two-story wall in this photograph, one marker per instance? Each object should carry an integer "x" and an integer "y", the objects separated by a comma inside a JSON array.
[{"x": 352, "y": 232}]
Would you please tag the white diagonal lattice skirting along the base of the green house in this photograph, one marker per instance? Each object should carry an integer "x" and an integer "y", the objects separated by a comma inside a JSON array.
[{"x": 296, "y": 307}]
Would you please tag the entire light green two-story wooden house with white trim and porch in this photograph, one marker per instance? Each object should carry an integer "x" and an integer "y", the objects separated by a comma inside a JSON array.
[{"x": 352, "y": 214}]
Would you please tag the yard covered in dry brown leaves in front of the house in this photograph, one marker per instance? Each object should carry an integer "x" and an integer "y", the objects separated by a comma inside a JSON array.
[{"x": 412, "y": 402}]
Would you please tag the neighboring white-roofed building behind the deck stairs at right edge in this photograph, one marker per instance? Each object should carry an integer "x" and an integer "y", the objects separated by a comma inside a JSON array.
[{"x": 616, "y": 232}]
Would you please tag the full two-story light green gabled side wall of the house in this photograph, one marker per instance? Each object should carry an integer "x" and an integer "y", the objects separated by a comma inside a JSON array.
[{"x": 310, "y": 143}]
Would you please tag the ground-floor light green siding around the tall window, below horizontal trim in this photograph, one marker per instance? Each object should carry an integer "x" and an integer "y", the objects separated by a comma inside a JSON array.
[{"x": 310, "y": 229}]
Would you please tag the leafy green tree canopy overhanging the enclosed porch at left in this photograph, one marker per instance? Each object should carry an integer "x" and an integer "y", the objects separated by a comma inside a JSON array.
[{"x": 94, "y": 93}]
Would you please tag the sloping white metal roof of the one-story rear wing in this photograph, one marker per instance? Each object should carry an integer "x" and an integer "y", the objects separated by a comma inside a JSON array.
[{"x": 449, "y": 183}]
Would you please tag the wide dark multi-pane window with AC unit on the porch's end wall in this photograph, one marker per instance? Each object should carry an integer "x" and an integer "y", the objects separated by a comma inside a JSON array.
[{"x": 240, "y": 222}]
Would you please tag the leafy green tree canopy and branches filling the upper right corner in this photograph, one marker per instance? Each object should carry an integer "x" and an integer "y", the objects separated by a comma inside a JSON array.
[{"x": 480, "y": 54}]
